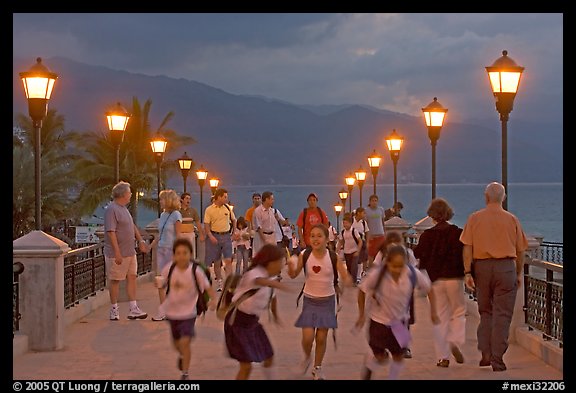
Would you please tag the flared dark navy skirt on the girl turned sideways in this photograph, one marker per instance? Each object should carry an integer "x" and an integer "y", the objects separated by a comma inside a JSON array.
[{"x": 246, "y": 339}]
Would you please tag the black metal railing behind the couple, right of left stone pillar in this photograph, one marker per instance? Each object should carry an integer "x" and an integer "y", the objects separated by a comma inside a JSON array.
[{"x": 85, "y": 272}]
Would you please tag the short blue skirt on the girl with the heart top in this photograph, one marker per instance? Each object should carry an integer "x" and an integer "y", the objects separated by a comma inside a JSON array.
[{"x": 318, "y": 313}]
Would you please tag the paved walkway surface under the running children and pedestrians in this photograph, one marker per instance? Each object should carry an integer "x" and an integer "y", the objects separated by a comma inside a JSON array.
[{"x": 99, "y": 349}]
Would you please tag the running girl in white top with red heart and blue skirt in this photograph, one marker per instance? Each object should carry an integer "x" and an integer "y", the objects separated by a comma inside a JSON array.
[{"x": 319, "y": 304}]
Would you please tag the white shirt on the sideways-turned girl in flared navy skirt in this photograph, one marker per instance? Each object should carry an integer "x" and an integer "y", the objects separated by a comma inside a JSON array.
[{"x": 257, "y": 303}]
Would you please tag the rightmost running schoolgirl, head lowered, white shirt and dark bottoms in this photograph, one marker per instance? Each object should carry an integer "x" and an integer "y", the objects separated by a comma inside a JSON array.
[{"x": 389, "y": 287}]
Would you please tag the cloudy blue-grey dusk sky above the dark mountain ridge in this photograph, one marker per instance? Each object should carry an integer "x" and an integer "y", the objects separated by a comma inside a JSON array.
[{"x": 397, "y": 62}]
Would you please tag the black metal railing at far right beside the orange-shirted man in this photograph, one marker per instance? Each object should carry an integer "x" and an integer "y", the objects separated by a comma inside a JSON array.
[{"x": 544, "y": 298}]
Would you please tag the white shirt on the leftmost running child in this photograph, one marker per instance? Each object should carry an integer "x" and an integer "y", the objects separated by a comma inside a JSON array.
[{"x": 180, "y": 303}]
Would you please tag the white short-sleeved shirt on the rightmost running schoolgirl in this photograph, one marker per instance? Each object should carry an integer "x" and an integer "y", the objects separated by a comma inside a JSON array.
[{"x": 393, "y": 297}]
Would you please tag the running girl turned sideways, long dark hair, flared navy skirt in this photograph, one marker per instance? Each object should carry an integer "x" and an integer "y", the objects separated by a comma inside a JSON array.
[{"x": 246, "y": 339}]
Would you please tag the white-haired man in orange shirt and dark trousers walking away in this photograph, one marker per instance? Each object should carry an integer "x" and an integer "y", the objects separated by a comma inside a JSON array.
[{"x": 493, "y": 254}]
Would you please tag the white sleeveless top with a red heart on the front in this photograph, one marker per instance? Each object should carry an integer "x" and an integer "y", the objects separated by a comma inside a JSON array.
[{"x": 319, "y": 276}]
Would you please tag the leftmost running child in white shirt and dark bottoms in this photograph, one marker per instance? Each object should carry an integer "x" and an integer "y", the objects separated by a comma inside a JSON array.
[{"x": 180, "y": 302}]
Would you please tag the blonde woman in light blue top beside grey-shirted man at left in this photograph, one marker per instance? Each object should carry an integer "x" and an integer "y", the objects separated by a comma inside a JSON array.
[{"x": 169, "y": 229}]
